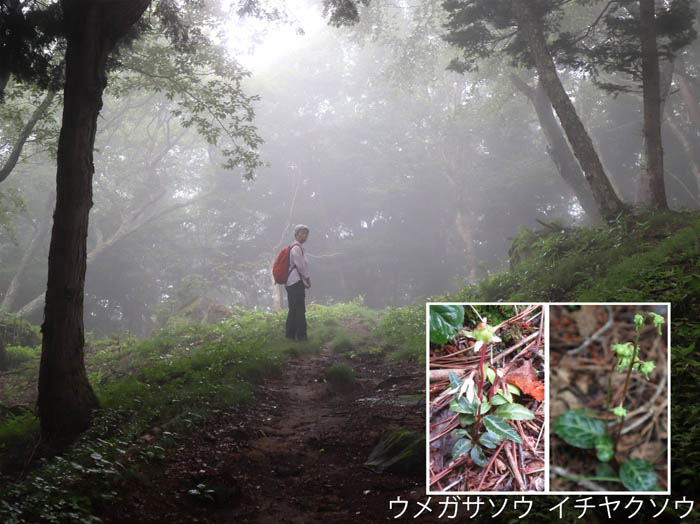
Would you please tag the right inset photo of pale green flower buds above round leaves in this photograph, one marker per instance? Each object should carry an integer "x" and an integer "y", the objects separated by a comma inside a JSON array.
[{"x": 609, "y": 390}]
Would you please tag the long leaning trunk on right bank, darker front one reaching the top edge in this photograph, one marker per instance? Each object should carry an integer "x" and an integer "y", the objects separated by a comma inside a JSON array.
[{"x": 606, "y": 200}]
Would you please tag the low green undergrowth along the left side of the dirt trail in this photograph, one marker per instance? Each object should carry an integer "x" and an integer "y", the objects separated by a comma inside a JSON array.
[{"x": 155, "y": 390}]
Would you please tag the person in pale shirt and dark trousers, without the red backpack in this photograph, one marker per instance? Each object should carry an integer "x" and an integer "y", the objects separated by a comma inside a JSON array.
[{"x": 297, "y": 283}]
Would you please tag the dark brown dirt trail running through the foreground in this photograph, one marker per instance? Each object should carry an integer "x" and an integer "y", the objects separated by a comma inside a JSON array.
[{"x": 295, "y": 456}]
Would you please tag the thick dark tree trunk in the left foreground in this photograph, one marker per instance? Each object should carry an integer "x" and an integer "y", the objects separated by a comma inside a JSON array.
[{"x": 66, "y": 400}]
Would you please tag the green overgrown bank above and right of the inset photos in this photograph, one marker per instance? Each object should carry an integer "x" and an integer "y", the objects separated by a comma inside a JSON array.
[{"x": 639, "y": 258}]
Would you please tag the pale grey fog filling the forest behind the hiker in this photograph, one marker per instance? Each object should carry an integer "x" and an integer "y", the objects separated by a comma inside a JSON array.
[{"x": 413, "y": 179}]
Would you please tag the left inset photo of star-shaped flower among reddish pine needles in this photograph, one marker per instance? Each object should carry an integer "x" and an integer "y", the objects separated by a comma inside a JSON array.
[{"x": 486, "y": 409}]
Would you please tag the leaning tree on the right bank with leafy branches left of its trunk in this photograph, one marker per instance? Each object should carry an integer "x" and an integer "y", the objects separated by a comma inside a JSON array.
[{"x": 518, "y": 29}]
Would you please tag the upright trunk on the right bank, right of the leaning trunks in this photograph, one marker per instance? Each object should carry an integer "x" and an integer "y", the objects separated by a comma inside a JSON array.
[{"x": 651, "y": 89}]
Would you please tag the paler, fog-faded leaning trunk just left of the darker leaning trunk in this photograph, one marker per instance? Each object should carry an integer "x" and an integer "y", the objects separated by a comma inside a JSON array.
[{"x": 559, "y": 150}]
